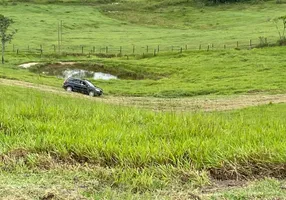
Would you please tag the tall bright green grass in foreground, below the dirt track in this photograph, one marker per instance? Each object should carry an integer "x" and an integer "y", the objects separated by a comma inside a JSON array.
[{"x": 115, "y": 136}]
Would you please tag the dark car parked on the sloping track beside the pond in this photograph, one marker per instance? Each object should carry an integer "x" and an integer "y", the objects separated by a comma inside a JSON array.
[{"x": 82, "y": 86}]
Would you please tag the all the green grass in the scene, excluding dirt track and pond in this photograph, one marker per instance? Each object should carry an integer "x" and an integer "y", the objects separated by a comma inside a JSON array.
[{"x": 56, "y": 146}]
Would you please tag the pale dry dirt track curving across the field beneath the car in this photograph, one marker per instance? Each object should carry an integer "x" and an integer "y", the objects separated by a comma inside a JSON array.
[{"x": 175, "y": 104}]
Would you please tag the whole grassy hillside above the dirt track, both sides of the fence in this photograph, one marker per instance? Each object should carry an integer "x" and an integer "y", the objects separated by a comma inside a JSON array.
[{"x": 169, "y": 74}]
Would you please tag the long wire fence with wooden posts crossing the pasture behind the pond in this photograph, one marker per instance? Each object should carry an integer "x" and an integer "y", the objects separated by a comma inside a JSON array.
[{"x": 129, "y": 50}]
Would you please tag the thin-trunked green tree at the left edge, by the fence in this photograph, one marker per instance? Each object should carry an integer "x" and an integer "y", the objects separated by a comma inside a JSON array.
[{"x": 5, "y": 22}]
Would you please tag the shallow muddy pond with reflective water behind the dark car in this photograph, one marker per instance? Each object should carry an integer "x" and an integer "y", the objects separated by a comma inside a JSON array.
[{"x": 96, "y": 71}]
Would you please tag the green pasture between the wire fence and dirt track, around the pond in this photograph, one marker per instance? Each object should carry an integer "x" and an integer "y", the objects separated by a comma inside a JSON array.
[{"x": 186, "y": 74}]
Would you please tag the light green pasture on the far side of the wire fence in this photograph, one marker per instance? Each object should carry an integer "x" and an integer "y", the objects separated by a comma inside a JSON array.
[{"x": 141, "y": 24}]
